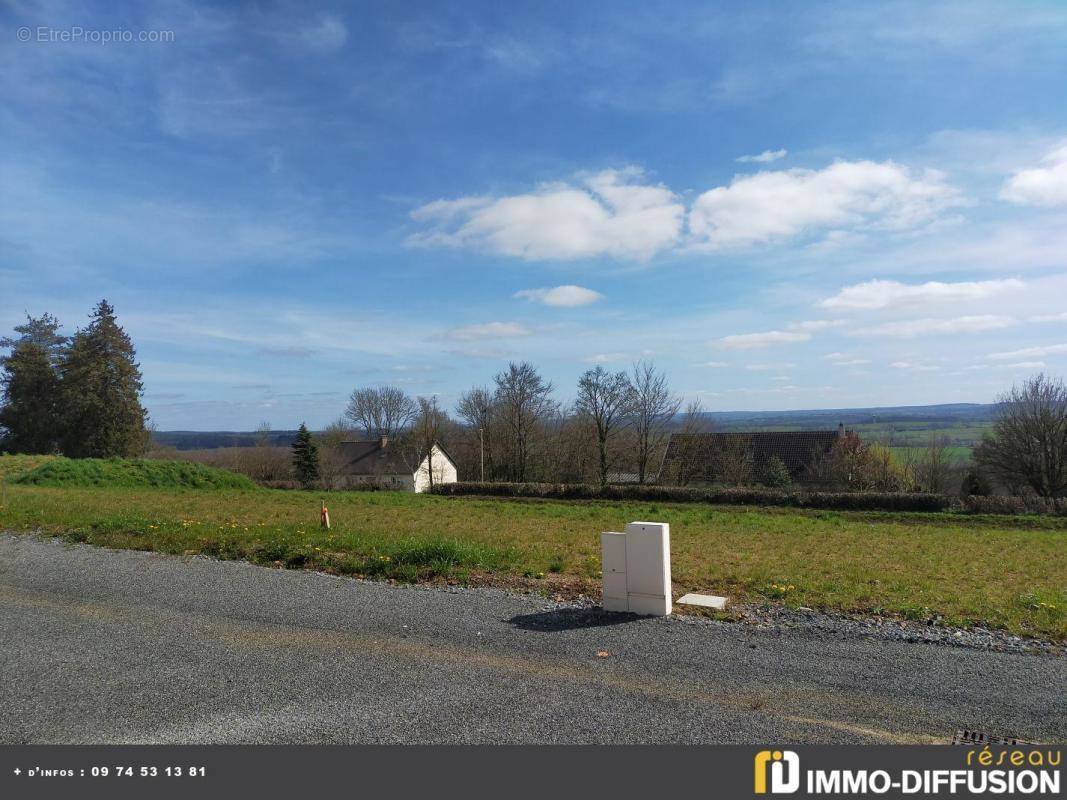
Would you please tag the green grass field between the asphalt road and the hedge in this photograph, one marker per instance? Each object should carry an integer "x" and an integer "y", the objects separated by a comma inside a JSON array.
[{"x": 1009, "y": 573}]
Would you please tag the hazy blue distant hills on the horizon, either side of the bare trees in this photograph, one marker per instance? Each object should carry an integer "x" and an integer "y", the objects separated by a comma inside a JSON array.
[{"x": 912, "y": 418}]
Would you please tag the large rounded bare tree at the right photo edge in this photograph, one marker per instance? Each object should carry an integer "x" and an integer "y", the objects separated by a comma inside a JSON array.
[{"x": 1028, "y": 446}]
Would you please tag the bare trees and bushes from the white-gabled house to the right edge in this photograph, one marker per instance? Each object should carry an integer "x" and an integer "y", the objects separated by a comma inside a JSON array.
[{"x": 620, "y": 422}]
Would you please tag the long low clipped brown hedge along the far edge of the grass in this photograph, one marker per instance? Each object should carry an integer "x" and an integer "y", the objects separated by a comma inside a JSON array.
[{"x": 834, "y": 501}]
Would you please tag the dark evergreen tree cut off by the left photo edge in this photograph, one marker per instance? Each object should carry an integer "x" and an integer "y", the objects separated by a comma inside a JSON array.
[{"x": 30, "y": 387}]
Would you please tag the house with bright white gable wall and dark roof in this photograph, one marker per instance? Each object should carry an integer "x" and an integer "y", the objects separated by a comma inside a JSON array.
[{"x": 383, "y": 465}]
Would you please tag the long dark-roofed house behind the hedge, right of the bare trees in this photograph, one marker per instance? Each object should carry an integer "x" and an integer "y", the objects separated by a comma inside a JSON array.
[{"x": 737, "y": 457}]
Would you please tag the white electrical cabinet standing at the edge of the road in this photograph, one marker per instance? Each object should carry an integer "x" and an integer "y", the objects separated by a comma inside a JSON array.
[{"x": 636, "y": 569}]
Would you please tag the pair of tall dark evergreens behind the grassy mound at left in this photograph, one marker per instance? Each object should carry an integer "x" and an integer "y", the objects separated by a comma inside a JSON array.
[{"x": 79, "y": 396}]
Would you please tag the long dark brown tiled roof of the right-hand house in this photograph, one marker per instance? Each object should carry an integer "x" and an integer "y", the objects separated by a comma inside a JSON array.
[{"x": 699, "y": 453}]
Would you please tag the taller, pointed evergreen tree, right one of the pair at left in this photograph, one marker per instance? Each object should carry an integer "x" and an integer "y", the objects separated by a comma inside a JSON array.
[{"x": 101, "y": 394}]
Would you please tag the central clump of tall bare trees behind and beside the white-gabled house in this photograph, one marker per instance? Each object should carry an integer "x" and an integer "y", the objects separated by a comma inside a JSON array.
[{"x": 516, "y": 430}]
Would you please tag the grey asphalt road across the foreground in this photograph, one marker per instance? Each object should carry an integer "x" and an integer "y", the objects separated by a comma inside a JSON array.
[{"x": 102, "y": 647}]
